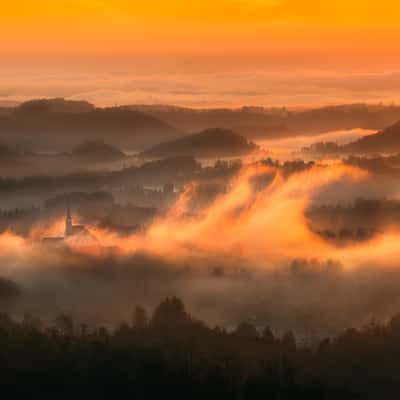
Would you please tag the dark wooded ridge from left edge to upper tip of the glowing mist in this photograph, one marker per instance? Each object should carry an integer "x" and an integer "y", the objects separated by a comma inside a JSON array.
[{"x": 179, "y": 170}]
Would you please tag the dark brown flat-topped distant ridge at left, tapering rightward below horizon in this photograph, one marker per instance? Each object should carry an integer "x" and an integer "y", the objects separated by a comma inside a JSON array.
[{"x": 58, "y": 124}]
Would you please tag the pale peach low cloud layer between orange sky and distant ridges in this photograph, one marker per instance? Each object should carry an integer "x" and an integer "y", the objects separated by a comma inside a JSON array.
[{"x": 203, "y": 89}]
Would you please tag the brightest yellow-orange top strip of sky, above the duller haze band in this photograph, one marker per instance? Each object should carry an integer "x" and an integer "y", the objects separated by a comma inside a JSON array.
[{"x": 156, "y": 26}]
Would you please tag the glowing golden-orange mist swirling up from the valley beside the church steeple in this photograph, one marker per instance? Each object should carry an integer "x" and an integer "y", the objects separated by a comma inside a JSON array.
[{"x": 241, "y": 227}]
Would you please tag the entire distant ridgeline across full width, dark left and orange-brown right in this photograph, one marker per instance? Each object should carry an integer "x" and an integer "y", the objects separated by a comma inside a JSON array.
[{"x": 58, "y": 124}]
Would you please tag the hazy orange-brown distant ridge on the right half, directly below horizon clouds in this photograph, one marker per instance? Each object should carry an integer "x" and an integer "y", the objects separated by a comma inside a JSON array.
[{"x": 277, "y": 122}]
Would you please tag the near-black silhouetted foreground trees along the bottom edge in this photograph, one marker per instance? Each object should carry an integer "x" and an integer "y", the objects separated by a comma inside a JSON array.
[{"x": 173, "y": 355}]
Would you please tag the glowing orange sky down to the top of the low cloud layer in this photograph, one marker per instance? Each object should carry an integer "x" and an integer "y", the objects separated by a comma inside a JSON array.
[{"x": 186, "y": 36}]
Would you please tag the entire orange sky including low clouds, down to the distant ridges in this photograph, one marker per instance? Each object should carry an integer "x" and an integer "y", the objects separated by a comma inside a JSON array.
[{"x": 104, "y": 39}]
